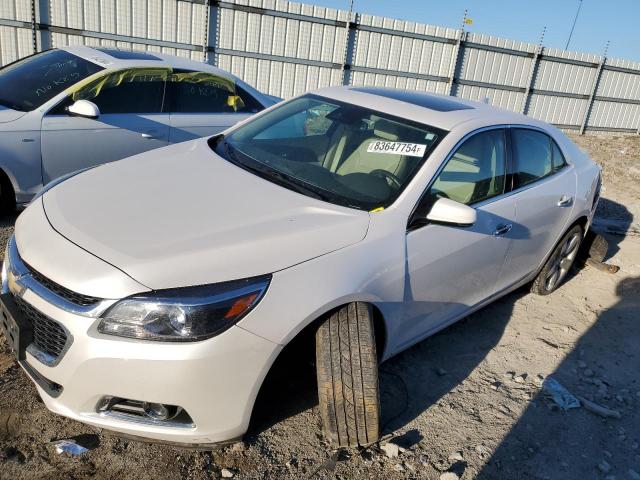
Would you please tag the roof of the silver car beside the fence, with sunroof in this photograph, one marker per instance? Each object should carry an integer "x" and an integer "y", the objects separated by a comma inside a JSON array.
[{"x": 113, "y": 58}]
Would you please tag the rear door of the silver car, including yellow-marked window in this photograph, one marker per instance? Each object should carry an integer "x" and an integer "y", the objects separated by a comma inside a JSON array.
[{"x": 203, "y": 104}]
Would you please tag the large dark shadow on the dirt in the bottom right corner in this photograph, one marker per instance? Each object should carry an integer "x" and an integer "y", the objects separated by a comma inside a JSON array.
[{"x": 549, "y": 443}]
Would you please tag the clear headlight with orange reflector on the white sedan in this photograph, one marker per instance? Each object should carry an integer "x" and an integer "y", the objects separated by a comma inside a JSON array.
[{"x": 184, "y": 314}]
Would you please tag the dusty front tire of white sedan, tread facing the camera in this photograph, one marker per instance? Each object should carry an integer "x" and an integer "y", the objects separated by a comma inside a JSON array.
[{"x": 347, "y": 371}]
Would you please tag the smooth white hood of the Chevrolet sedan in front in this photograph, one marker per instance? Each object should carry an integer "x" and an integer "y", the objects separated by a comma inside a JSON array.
[{"x": 181, "y": 216}]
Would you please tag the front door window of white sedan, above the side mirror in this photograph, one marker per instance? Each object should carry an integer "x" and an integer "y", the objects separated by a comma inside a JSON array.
[{"x": 475, "y": 172}]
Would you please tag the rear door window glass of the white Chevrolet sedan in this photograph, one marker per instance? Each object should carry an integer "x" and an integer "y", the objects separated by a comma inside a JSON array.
[{"x": 533, "y": 156}]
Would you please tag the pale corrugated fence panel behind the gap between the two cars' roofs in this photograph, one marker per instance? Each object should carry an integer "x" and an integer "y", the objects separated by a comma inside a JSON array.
[{"x": 286, "y": 39}]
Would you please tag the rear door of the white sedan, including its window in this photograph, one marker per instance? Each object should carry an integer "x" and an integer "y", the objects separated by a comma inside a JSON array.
[{"x": 544, "y": 192}]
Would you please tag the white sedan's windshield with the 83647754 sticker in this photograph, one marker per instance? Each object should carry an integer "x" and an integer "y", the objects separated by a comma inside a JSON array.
[{"x": 338, "y": 152}]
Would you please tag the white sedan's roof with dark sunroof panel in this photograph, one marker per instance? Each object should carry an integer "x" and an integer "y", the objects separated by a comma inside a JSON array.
[{"x": 439, "y": 111}]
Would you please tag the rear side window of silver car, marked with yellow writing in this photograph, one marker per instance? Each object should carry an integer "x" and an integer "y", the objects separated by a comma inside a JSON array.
[{"x": 202, "y": 92}]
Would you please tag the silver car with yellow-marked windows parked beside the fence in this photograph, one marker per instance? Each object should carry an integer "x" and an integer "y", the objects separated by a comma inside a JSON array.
[{"x": 71, "y": 108}]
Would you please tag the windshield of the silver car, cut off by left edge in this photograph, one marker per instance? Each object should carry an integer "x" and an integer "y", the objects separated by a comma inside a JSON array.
[{"x": 31, "y": 82}]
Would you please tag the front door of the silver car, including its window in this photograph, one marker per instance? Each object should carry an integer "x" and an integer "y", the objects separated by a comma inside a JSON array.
[{"x": 130, "y": 122}]
